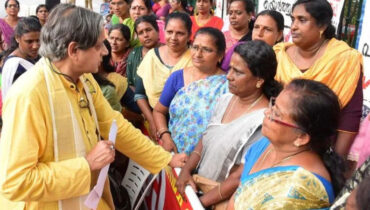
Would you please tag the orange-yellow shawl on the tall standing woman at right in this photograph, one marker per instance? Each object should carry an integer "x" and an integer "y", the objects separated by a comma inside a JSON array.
[{"x": 339, "y": 68}]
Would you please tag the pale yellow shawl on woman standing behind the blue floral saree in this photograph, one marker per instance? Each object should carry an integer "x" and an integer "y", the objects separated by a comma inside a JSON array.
[{"x": 155, "y": 74}]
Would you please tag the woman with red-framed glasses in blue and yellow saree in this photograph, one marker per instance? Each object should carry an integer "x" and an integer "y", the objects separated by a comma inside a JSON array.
[{"x": 293, "y": 166}]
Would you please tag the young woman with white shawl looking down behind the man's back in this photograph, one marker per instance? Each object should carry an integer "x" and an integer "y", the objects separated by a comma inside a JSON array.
[{"x": 23, "y": 53}]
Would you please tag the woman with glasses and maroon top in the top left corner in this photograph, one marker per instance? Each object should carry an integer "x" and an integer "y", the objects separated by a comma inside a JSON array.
[{"x": 8, "y": 24}]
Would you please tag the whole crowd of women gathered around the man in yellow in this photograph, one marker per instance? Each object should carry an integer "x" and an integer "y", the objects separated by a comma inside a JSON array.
[{"x": 265, "y": 124}]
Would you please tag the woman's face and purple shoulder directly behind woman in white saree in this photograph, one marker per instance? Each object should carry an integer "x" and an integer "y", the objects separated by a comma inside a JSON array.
[{"x": 268, "y": 27}]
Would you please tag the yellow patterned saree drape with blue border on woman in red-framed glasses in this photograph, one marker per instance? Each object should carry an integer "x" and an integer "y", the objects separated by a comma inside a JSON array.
[{"x": 286, "y": 187}]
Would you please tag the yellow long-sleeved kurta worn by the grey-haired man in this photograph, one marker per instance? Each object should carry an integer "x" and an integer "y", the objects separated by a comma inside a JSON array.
[{"x": 29, "y": 176}]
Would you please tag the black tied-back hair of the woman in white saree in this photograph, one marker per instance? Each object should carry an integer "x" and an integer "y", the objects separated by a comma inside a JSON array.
[{"x": 261, "y": 60}]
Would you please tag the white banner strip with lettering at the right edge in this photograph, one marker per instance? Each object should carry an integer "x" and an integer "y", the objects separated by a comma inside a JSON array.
[{"x": 363, "y": 45}]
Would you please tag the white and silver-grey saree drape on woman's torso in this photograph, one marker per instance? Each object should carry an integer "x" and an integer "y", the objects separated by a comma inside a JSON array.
[{"x": 224, "y": 144}]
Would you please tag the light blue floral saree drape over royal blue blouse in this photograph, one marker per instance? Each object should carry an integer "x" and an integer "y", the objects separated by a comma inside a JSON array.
[{"x": 191, "y": 109}]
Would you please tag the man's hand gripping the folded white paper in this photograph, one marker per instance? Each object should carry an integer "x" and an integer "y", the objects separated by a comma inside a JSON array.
[{"x": 101, "y": 155}]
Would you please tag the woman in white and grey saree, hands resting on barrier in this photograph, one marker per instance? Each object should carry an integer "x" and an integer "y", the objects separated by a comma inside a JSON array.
[{"x": 235, "y": 123}]
